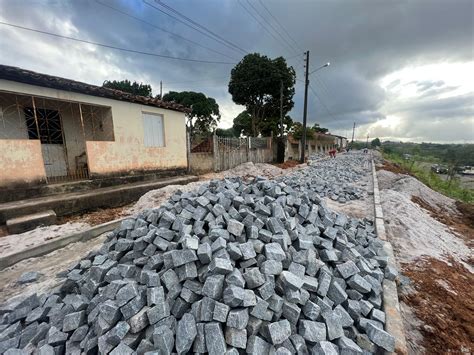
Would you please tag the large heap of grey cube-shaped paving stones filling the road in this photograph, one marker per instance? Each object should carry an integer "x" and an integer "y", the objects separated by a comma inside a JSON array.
[{"x": 261, "y": 266}]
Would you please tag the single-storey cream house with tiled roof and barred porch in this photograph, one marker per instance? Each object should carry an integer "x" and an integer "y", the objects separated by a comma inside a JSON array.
[{"x": 54, "y": 129}]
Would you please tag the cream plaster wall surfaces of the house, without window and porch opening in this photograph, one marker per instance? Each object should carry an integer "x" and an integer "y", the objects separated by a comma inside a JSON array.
[{"x": 125, "y": 154}]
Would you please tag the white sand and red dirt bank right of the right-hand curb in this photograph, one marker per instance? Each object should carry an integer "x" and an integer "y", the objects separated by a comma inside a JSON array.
[{"x": 432, "y": 239}]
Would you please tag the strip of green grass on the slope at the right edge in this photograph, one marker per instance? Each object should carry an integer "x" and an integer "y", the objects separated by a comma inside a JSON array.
[{"x": 451, "y": 188}]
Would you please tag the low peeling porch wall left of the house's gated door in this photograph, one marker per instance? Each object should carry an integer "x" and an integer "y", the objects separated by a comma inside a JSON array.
[{"x": 21, "y": 161}]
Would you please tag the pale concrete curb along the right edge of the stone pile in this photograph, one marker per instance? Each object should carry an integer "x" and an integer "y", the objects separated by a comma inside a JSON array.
[{"x": 394, "y": 322}]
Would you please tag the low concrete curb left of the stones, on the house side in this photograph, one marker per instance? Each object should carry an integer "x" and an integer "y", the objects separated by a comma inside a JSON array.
[{"x": 61, "y": 242}]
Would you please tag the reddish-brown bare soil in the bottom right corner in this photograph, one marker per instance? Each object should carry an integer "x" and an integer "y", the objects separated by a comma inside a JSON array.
[{"x": 444, "y": 303}]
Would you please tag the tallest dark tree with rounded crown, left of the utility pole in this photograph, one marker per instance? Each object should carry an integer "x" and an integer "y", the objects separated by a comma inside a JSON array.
[{"x": 255, "y": 83}]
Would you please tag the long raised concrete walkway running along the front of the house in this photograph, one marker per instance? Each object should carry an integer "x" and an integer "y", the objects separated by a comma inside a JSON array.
[{"x": 70, "y": 203}]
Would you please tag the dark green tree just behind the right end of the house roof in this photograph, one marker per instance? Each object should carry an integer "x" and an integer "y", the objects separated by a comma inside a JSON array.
[{"x": 204, "y": 115}]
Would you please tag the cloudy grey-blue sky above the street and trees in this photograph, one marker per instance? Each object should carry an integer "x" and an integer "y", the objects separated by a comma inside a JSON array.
[{"x": 400, "y": 69}]
